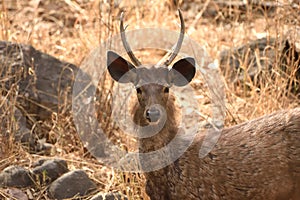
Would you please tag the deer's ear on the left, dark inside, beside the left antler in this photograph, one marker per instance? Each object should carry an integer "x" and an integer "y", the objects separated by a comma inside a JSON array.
[{"x": 120, "y": 69}]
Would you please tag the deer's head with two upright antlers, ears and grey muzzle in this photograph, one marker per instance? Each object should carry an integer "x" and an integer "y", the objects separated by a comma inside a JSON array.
[{"x": 152, "y": 83}]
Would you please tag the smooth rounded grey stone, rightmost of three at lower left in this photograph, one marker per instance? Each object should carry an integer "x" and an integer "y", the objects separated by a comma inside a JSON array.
[{"x": 70, "y": 184}]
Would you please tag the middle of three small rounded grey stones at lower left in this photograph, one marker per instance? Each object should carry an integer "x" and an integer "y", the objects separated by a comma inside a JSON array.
[{"x": 47, "y": 171}]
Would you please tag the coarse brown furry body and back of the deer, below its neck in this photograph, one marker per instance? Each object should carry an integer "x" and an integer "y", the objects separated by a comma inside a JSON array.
[{"x": 259, "y": 159}]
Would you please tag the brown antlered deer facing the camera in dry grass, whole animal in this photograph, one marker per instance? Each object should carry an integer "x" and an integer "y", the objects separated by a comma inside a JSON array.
[{"x": 258, "y": 159}]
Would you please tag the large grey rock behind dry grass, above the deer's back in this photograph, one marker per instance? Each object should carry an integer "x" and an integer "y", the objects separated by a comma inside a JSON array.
[{"x": 259, "y": 58}]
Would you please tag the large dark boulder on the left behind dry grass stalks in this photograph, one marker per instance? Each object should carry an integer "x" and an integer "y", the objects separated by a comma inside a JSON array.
[{"x": 43, "y": 84}]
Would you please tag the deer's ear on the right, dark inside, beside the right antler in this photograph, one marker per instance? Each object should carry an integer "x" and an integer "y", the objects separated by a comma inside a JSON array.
[{"x": 182, "y": 72}]
